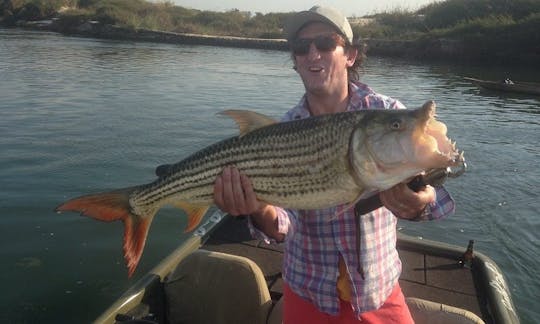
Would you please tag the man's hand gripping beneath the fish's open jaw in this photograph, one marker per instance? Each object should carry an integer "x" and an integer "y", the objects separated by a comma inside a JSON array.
[{"x": 404, "y": 202}]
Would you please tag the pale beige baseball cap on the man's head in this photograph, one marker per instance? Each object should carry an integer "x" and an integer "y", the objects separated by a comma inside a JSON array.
[{"x": 327, "y": 15}]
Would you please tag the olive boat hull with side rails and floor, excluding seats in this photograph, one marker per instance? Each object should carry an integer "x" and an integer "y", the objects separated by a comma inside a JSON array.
[{"x": 430, "y": 271}]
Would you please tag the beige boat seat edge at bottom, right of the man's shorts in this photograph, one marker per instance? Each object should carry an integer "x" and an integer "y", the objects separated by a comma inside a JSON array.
[{"x": 425, "y": 311}]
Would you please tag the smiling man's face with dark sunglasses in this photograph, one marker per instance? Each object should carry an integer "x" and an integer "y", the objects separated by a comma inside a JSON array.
[{"x": 323, "y": 71}]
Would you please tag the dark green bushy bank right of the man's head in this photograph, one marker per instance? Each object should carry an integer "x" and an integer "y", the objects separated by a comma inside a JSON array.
[{"x": 498, "y": 31}]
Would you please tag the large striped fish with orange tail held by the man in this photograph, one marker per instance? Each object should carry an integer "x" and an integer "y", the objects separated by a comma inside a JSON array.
[{"x": 311, "y": 163}]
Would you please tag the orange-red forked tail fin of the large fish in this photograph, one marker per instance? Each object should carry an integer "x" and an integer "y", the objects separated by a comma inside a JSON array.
[{"x": 112, "y": 206}]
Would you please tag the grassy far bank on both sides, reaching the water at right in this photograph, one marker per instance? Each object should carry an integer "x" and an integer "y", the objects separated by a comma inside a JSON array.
[{"x": 475, "y": 30}]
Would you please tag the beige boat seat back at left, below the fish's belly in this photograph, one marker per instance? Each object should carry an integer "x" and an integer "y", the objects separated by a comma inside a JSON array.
[{"x": 212, "y": 287}]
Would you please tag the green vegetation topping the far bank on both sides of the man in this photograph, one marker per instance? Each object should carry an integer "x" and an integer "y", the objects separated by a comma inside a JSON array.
[{"x": 451, "y": 18}]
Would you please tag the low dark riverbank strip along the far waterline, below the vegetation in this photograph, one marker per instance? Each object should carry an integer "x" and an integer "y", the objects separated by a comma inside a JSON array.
[{"x": 457, "y": 51}]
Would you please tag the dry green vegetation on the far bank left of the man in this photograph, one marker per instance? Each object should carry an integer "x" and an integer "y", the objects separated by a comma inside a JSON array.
[{"x": 164, "y": 16}]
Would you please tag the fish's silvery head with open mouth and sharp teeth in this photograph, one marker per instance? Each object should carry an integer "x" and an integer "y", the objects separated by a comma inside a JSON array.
[{"x": 391, "y": 146}]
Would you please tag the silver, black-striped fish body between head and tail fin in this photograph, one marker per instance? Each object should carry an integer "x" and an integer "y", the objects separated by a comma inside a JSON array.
[{"x": 302, "y": 164}]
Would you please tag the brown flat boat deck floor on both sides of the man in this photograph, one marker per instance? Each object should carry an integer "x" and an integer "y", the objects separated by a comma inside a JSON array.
[{"x": 426, "y": 276}]
